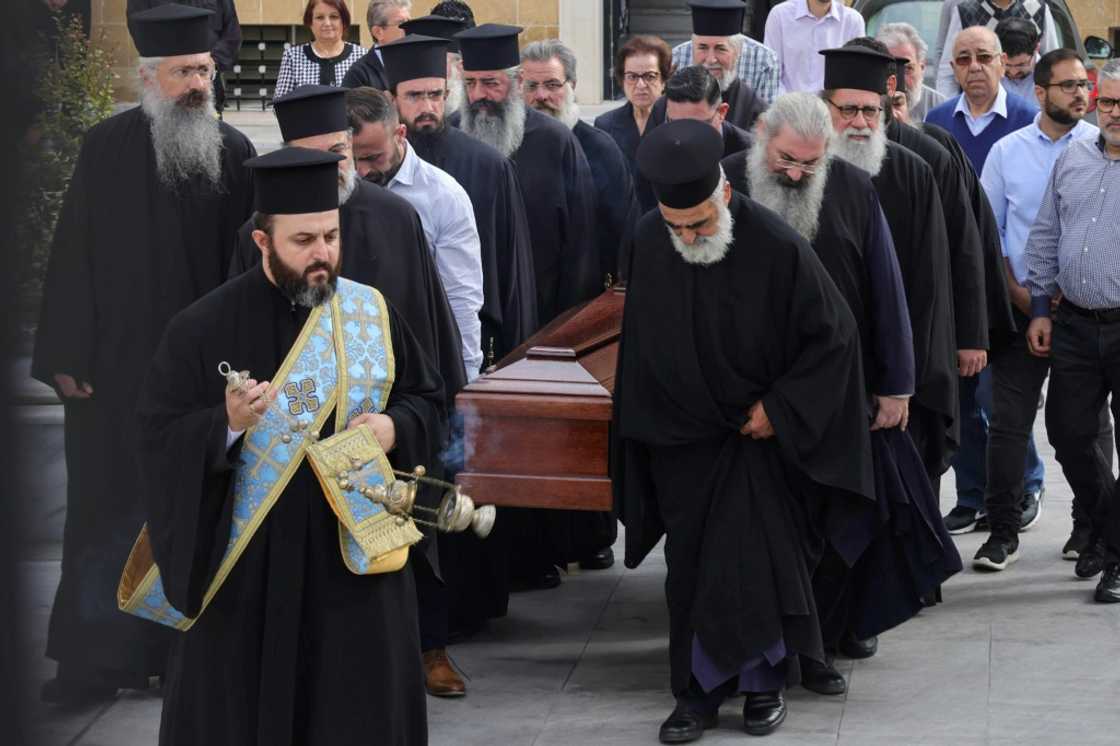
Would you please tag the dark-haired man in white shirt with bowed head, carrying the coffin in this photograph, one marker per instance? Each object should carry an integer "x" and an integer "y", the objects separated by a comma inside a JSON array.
[{"x": 382, "y": 155}]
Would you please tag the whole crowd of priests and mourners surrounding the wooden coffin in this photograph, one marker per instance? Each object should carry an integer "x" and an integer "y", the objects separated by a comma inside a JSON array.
[{"x": 841, "y": 284}]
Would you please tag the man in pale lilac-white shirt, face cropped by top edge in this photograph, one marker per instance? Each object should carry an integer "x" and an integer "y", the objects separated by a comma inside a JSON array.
[{"x": 798, "y": 30}]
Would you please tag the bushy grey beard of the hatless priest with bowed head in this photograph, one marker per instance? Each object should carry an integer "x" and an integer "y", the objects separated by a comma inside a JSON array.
[{"x": 799, "y": 203}]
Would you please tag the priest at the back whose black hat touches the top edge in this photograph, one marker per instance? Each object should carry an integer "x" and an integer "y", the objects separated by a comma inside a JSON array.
[{"x": 716, "y": 23}]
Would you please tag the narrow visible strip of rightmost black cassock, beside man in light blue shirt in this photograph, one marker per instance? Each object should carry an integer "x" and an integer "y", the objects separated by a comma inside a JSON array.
[{"x": 1001, "y": 318}]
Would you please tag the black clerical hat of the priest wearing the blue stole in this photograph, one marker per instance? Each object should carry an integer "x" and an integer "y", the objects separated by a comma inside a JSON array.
[{"x": 295, "y": 181}]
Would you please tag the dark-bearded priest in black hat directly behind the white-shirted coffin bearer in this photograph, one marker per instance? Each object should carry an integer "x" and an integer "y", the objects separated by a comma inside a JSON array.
[{"x": 509, "y": 314}]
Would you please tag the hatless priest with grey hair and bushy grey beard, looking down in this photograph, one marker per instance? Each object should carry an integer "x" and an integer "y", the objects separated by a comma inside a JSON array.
[{"x": 834, "y": 204}]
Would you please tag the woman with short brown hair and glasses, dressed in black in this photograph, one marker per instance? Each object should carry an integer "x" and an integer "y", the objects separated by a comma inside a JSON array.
[{"x": 642, "y": 68}]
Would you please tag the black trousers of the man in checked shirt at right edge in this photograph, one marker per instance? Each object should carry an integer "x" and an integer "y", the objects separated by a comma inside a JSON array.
[{"x": 1085, "y": 370}]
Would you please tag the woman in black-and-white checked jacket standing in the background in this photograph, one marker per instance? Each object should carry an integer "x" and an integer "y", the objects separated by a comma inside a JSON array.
[{"x": 328, "y": 58}]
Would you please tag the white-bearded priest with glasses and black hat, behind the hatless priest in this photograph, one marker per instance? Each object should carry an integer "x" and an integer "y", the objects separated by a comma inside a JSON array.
[{"x": 855, "y": 85}]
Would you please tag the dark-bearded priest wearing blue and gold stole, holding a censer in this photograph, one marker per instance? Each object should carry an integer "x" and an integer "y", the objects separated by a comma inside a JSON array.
[{"x": 290, "y": 632}]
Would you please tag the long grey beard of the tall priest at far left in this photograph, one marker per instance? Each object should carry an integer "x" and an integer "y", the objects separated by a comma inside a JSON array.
[{"x": 185, "y": 136}]
